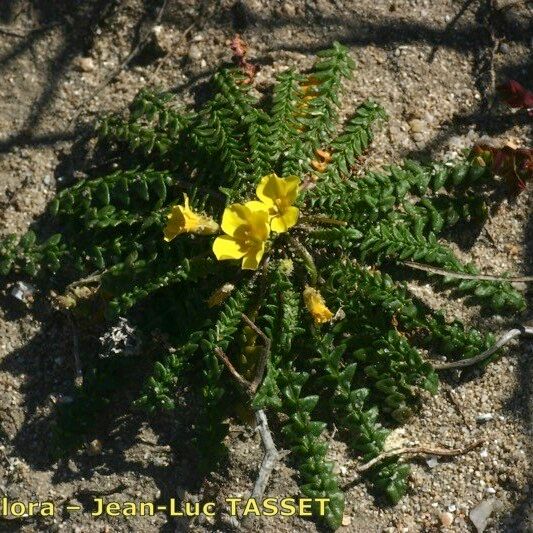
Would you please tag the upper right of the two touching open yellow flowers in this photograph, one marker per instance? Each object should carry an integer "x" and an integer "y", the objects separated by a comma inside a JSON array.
[{"x": 279, "y": 194}]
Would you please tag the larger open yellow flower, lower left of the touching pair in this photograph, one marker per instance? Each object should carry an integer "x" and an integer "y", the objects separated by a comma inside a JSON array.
[{"x": 247, "y": 229}]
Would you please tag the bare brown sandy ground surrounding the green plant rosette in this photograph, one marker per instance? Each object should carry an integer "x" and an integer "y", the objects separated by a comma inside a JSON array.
[{"x": 435, "y": 62}]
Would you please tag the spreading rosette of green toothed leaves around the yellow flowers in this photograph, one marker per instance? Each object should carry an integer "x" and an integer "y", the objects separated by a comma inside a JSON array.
[{"x": 364, "y": 370}]
